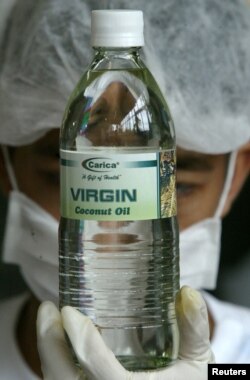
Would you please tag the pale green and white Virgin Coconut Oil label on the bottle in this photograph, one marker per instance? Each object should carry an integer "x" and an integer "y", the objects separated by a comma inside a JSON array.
[{"x": 118, "y": 186}]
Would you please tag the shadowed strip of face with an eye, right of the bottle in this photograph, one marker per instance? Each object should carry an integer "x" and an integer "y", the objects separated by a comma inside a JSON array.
[{"x": 200, "y": 181}]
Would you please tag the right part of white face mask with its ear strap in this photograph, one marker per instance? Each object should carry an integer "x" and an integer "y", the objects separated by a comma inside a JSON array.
[{"x": 200, "y": 244}]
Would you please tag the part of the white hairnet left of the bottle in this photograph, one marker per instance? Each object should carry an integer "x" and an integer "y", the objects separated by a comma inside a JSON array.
[{"x": 46, "y": 49}]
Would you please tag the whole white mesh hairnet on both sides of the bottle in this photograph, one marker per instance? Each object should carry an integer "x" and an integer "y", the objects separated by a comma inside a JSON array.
[{"x": 203, "y": 48}]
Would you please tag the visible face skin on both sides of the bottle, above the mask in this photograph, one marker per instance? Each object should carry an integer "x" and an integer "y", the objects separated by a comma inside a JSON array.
[{"x": 200, "y": 178}]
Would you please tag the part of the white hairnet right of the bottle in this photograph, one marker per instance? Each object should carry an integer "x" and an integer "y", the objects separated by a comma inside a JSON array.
[{"x": 204, "y": 50}]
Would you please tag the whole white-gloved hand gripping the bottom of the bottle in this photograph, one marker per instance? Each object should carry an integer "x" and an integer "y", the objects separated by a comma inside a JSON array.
[{"x": 99, "y": 363}]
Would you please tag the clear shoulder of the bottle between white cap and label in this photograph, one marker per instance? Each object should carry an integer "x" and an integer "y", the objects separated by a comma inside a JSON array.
[{"x": 118, "y": 104}]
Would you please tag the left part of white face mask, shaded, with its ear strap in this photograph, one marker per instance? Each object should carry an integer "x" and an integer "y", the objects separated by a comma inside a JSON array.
[{"x": 31, "y": 241}]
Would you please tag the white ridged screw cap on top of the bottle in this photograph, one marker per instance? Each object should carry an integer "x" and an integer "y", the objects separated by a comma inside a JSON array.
[{"x": 117, "y": 28}]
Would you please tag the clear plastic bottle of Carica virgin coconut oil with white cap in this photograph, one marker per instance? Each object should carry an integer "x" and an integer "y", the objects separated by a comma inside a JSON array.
[{"x": 119, "y": 261}]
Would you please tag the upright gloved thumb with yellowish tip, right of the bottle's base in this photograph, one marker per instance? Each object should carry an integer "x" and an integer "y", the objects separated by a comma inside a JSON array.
[{"x": 193, "y": 324}]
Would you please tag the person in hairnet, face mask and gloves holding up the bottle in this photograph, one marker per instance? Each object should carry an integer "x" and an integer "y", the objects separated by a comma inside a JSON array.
[{"x": 207, "y": 91}]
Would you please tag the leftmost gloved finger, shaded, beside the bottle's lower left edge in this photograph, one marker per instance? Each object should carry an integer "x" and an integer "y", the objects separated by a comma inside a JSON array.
[{"x": 56, "y": 358}]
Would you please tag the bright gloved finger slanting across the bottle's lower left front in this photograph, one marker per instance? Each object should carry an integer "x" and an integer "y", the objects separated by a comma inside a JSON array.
[{"x": 98, "y": 361}]
